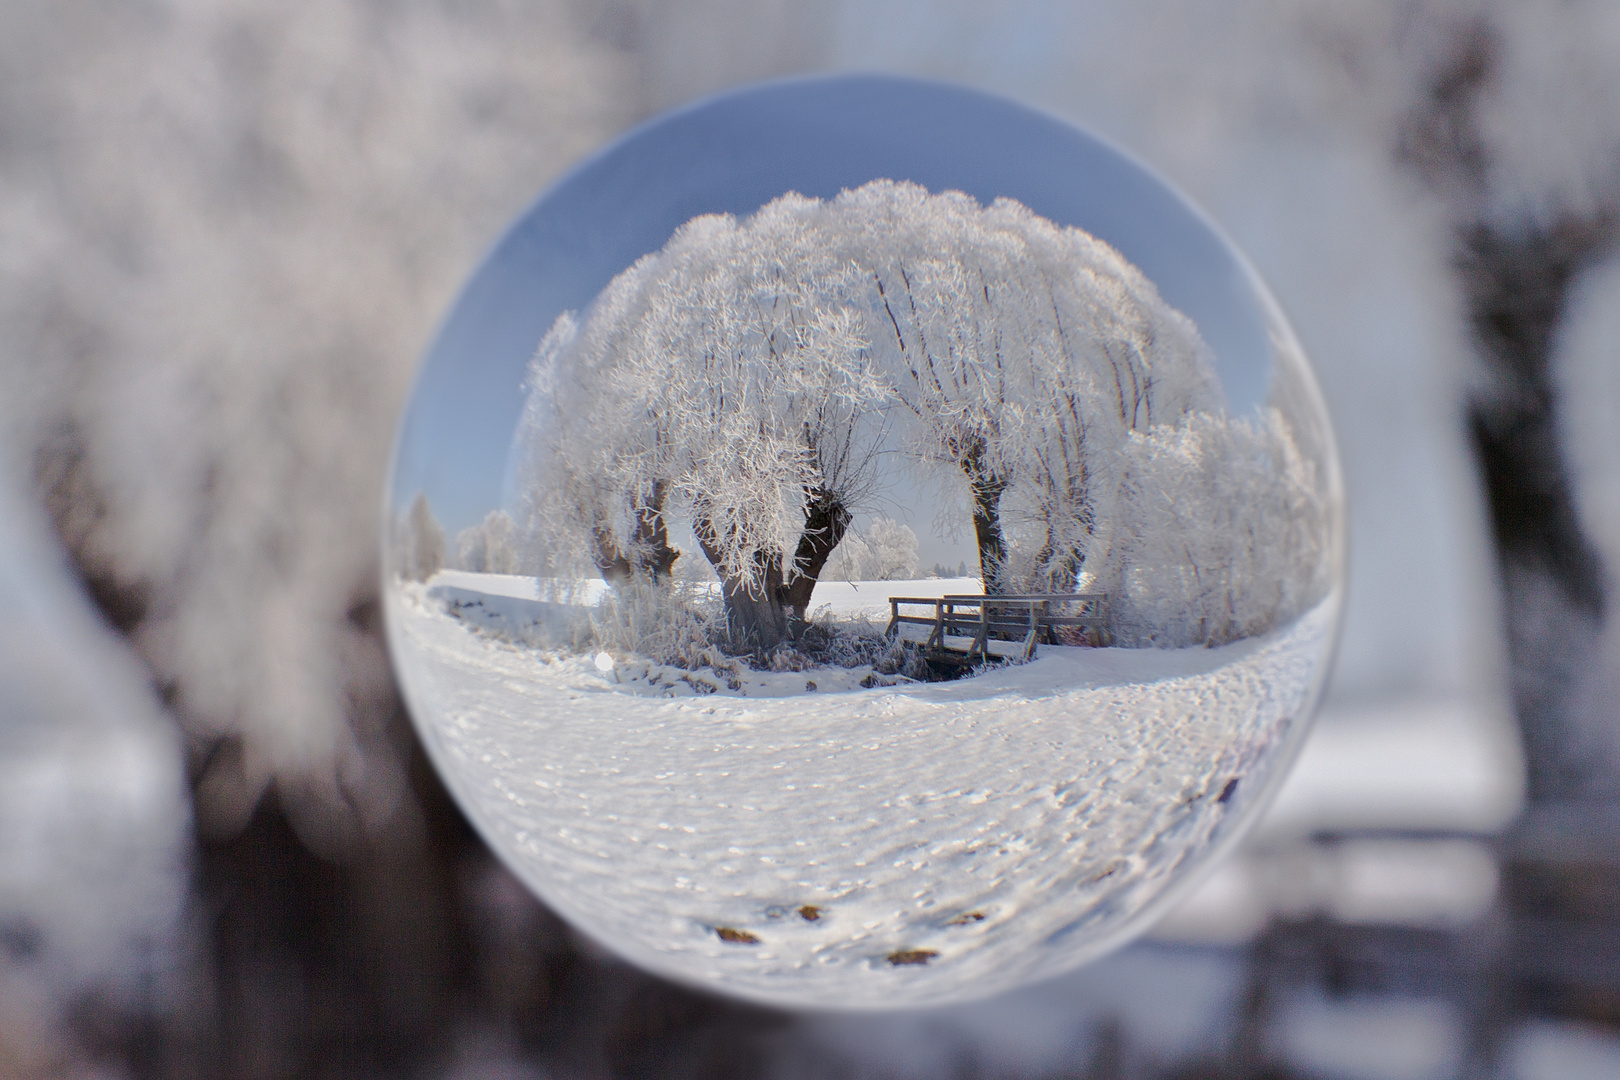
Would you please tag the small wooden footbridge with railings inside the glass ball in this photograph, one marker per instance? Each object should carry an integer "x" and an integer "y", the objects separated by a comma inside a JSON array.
[{"x": 968, "y": 631}]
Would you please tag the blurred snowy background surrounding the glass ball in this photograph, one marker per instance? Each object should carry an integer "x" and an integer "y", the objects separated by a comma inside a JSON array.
[{"x": 226, "y": 236}]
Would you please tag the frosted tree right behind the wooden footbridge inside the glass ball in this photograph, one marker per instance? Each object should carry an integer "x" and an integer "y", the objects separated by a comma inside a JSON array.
[{"x": 1023, "y": 351}]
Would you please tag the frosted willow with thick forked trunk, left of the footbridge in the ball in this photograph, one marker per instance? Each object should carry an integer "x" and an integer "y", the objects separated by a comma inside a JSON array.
[{"x": 717, "y": 378}]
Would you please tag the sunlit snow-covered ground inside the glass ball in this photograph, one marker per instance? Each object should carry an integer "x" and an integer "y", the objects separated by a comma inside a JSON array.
[{"x": 1000, "y": 828}]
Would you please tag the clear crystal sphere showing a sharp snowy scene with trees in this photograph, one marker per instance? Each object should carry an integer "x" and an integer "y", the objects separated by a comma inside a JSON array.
[{"x": 863, "y": 543}]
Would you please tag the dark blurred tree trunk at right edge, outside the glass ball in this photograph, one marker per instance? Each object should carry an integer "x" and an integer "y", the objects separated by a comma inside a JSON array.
[{"x": 1551, "y": 572}]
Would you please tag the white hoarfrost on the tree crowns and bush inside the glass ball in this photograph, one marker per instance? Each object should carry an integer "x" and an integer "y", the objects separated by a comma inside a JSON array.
[{"x": 752, "y": 376}]
